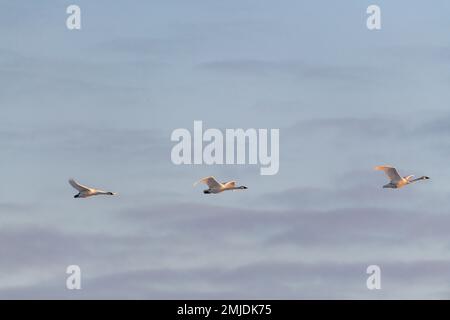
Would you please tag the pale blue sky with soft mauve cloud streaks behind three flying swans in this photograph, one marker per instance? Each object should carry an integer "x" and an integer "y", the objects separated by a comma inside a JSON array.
[{"x": 100, "y": 104}]
